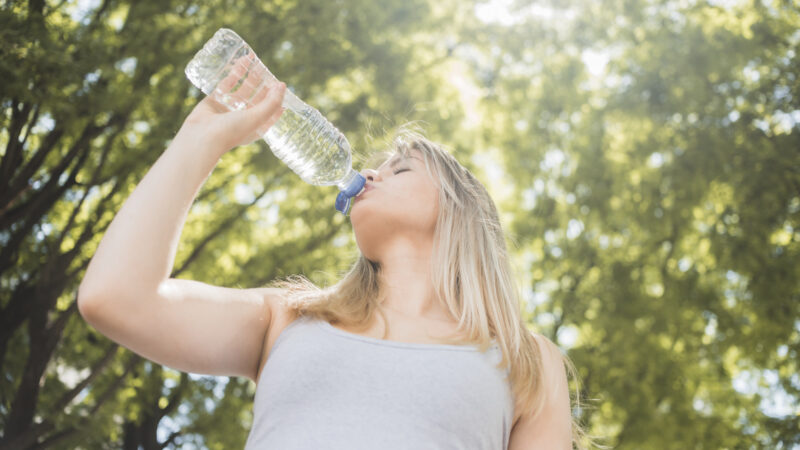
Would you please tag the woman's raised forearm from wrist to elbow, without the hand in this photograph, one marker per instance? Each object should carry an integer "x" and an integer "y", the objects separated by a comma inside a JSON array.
[{"x": 138, "y": 249}]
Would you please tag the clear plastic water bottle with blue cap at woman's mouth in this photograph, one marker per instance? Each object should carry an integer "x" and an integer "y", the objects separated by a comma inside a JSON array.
[{"x": 227, "y": 68}]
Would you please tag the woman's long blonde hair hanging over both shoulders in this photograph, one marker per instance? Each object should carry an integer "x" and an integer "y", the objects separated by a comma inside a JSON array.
[{"x": 472, "y": 276}]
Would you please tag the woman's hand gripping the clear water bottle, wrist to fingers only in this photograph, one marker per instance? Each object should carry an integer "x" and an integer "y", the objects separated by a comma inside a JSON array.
[{"x": 212, "y": 124}]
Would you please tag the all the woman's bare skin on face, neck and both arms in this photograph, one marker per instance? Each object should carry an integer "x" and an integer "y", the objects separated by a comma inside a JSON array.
[{"x": 127, "y": 293}]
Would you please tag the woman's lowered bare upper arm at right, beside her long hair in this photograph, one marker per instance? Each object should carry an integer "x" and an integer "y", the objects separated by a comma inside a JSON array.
[{"x": 552, "y": 427}]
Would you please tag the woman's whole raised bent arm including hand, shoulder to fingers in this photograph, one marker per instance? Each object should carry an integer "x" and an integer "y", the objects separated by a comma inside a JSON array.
[{"x": 127, "y": 293}]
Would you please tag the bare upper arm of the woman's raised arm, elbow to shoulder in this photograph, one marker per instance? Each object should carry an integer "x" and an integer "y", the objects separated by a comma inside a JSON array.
[{"x": 189, "y": 325}]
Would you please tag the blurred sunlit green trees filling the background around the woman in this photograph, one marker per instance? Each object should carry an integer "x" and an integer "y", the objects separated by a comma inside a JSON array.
[{"x": 645, "y": 156}]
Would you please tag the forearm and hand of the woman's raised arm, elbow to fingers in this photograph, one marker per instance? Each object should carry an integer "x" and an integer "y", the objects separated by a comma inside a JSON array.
[{"x": 138, "y": 250}]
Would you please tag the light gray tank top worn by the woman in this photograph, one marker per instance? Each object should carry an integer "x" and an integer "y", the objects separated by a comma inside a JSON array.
[{"x": 325, "y": 388}]
